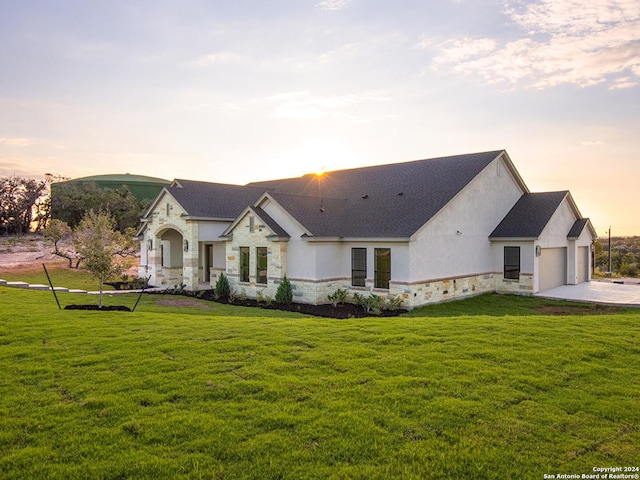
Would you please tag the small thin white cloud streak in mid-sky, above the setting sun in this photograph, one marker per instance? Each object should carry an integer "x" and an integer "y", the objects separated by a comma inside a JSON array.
[{"x": 304, "y": 105}]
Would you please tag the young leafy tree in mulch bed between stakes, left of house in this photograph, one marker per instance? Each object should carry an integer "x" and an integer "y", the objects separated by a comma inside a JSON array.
[{"x": 104, "y": 250}]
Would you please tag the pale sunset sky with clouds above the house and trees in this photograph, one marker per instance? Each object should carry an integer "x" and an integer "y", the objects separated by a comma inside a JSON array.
[{"x": 246, "y": 90}]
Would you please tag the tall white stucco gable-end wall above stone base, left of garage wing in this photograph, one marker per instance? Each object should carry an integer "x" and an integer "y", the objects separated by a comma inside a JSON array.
[{"x": 439, "y": 251}]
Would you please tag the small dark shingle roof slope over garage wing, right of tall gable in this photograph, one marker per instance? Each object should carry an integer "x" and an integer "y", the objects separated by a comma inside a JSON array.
[{"x": 529, "y": 216}]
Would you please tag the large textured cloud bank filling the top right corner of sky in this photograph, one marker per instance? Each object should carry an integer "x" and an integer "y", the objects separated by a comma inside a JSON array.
[{"x": 564, "y": 41}]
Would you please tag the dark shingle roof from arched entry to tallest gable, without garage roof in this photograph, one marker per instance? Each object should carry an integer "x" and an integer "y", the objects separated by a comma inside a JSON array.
[{"x": 384, "y": 201}]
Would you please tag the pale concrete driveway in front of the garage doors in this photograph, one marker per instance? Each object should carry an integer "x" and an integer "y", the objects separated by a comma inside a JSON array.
[{"x": 605, "y": 292}]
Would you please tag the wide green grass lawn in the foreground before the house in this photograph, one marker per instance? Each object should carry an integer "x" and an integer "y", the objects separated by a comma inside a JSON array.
[{"x": 487, "y": 388}]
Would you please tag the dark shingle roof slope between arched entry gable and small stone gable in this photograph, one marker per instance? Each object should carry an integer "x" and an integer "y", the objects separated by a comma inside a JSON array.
[{"x": 213, "y": 200}]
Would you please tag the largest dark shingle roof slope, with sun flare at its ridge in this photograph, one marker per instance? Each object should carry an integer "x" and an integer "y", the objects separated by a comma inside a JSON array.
[{"x": 391, "y": 201}]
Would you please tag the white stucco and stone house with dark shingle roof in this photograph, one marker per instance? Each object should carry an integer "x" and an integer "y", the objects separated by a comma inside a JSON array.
[{"x": 426, "y": 231}]
